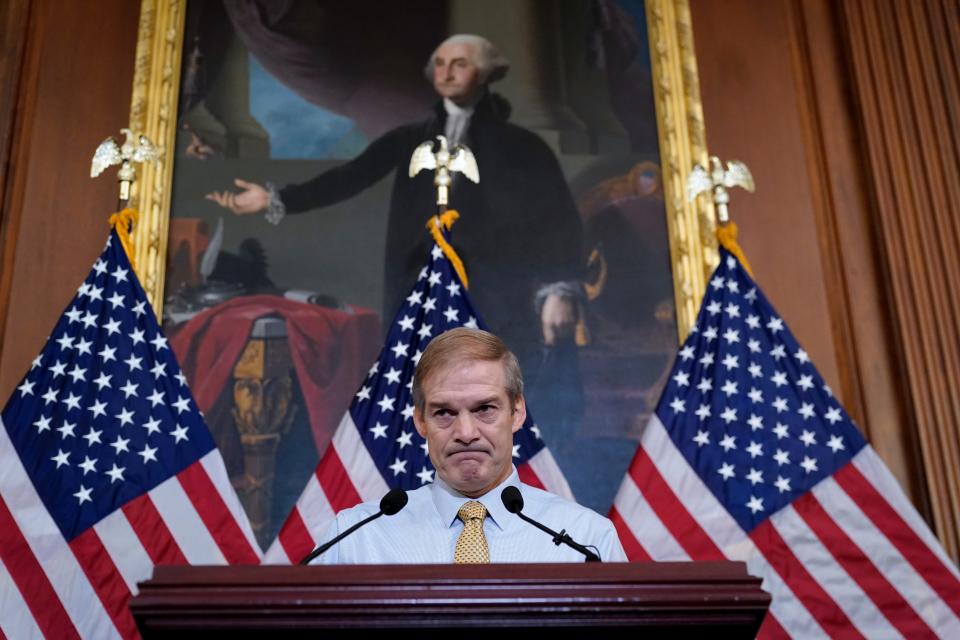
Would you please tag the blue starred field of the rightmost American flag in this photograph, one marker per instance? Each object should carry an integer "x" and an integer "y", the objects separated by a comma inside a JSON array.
[{"x": 753, "y": 341}]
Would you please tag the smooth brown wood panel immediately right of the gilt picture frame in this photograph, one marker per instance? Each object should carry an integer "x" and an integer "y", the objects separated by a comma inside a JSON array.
[{"x": 750, "y": 97}]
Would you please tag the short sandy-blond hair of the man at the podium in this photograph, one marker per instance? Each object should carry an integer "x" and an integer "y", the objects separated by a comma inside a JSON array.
[{"x": 464, "y": 344}]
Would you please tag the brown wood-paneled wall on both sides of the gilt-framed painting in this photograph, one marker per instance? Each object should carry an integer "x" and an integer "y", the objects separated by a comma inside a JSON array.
[{"x": 847, "y": 113}]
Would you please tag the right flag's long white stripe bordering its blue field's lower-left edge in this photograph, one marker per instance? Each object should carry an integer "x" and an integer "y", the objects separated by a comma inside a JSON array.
[{"x": 724, "y": 530}]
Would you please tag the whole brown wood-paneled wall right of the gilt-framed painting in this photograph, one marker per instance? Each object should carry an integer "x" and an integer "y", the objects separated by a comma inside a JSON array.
[{"x": 847, "y": 113}]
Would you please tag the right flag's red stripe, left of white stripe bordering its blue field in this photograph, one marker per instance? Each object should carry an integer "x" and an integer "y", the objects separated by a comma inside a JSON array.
[{"x": 674, "y": 515}]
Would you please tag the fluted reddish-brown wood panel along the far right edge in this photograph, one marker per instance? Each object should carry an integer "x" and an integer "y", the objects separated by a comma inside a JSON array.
[{"x": 906, "y": 77}]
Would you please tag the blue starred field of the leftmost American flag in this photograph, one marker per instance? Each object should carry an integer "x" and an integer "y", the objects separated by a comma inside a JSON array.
[{"x": 94, "y": 388}]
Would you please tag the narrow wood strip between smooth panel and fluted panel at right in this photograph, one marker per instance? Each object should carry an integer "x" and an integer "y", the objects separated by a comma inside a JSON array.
[{"x": 871, "y": 374}]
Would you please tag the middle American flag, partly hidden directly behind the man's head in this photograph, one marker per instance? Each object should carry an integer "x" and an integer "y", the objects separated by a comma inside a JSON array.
[{"x": 376, "y": 446}]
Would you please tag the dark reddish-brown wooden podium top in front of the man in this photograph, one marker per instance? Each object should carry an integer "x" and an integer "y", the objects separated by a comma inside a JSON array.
[{"x": 679, "y": 598}]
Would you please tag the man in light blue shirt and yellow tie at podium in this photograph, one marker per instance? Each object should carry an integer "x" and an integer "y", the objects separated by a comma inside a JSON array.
[{"x": 468, "y": 403}]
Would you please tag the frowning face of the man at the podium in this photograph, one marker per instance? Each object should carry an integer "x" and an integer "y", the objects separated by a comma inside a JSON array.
[{"x": 469, "y": 423}]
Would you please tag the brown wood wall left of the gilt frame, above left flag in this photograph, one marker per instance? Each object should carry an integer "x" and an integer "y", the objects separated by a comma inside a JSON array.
[{"x": 80, "y": 72}]
